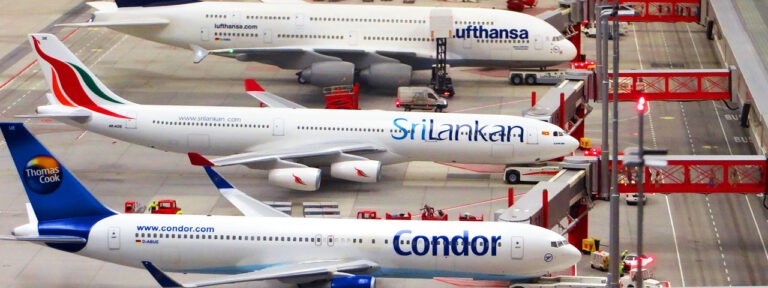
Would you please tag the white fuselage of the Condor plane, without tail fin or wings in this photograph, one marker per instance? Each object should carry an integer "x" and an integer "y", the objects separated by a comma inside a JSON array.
[{"x": 229, "y": 245}]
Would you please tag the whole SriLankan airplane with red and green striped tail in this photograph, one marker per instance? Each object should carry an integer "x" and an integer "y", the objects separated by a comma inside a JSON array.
[{"x": 285, "y": 139}]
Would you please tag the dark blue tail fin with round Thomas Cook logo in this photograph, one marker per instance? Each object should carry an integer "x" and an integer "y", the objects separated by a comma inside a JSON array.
[{"x": 55, "y": 193}]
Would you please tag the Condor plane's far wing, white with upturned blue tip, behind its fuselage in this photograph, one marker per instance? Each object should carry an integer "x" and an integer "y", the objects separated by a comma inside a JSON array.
[{"x": 248, "y": 206}]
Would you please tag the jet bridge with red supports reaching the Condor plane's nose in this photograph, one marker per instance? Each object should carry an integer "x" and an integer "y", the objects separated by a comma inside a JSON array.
[{"x": 566, "y": 195}]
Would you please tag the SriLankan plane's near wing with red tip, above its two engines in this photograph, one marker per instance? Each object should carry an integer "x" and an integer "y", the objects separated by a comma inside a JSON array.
[{"x": 284, "y": 158}]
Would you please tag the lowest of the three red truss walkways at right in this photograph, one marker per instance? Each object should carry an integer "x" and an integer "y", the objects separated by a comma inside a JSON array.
[{"x": 699, "y": 174}]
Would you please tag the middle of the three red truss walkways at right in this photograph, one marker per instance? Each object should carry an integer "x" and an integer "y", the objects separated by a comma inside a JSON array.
[{"x": 673, "y": 85}]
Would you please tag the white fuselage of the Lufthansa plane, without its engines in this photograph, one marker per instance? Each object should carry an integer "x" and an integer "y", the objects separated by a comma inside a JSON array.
[{"x": 479, "y": 37}]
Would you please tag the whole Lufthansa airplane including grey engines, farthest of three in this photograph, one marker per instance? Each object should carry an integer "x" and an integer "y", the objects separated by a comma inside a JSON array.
[{"x": 330, "y": 43}]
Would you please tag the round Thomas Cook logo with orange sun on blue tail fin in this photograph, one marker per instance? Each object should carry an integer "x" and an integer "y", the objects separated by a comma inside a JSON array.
[{"x": 43, "y": 174}]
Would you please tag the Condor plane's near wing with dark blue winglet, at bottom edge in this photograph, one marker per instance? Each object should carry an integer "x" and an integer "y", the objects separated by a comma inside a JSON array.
[{"x": 304, "y": 272}]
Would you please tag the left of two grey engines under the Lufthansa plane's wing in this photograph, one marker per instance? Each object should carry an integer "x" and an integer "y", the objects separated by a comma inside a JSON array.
[{"x": 328, "y": 73}]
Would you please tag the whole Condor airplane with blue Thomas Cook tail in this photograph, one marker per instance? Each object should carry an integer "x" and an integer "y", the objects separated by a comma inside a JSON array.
[{"x": 267, "y": 244}]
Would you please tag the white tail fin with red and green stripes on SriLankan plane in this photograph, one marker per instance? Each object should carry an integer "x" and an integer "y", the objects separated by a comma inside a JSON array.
[{"x": 70, "y": 81}]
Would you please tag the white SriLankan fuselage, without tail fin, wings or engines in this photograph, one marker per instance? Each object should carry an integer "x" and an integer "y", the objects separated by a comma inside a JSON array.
[{"x": 406, "y": 136}]
